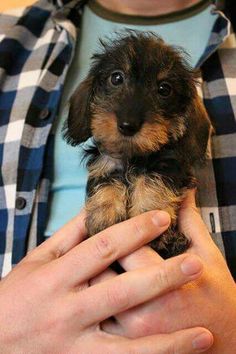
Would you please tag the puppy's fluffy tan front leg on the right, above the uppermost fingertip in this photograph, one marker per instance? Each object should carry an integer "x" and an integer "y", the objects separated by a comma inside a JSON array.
[{"x": 150, "y": 193}]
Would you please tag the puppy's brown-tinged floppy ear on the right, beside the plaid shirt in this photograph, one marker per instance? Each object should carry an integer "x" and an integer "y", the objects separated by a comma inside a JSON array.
[{"x": 195, "y": 140}]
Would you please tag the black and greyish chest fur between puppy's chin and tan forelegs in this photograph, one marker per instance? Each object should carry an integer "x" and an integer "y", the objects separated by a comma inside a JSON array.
[{"x": 163, "y": 163}]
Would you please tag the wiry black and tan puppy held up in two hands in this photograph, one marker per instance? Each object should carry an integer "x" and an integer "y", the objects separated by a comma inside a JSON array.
[{"x": 140, "y": 105}]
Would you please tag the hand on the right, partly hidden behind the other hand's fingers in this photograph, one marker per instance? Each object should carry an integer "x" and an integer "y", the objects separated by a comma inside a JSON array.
[{"x": 210, "y": 301}]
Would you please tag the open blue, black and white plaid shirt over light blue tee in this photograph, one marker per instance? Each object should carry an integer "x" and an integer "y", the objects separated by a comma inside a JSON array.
[{"x": 36, "y": 48}]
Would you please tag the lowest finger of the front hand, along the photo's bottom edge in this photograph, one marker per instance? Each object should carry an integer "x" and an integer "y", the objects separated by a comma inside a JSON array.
[{"x": 187, "y": 341}]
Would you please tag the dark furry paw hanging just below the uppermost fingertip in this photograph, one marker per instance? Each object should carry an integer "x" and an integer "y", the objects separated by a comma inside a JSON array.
[{"x": 170, "y": 244}]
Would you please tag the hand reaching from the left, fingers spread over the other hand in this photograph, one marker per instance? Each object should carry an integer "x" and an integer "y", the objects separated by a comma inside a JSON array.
[{"x": 48, "y": 307}]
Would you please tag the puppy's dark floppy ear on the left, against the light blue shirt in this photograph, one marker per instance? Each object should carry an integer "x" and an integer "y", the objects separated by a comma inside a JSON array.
[{"x": 77, "y": 127}]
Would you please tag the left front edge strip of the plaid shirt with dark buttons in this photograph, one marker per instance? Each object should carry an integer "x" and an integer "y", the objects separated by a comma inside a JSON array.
[{"x": 36, "y": 139}]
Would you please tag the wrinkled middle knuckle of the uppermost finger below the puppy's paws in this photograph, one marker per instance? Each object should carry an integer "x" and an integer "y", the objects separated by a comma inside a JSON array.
[{"x": 104, "y": 247}]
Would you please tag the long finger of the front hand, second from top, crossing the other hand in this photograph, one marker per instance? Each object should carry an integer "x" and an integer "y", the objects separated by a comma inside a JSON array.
[{"x": 135, "y": 287}]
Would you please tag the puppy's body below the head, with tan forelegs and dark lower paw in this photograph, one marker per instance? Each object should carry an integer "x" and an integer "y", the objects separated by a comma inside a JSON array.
[{"x": 120, "y": 188}]
